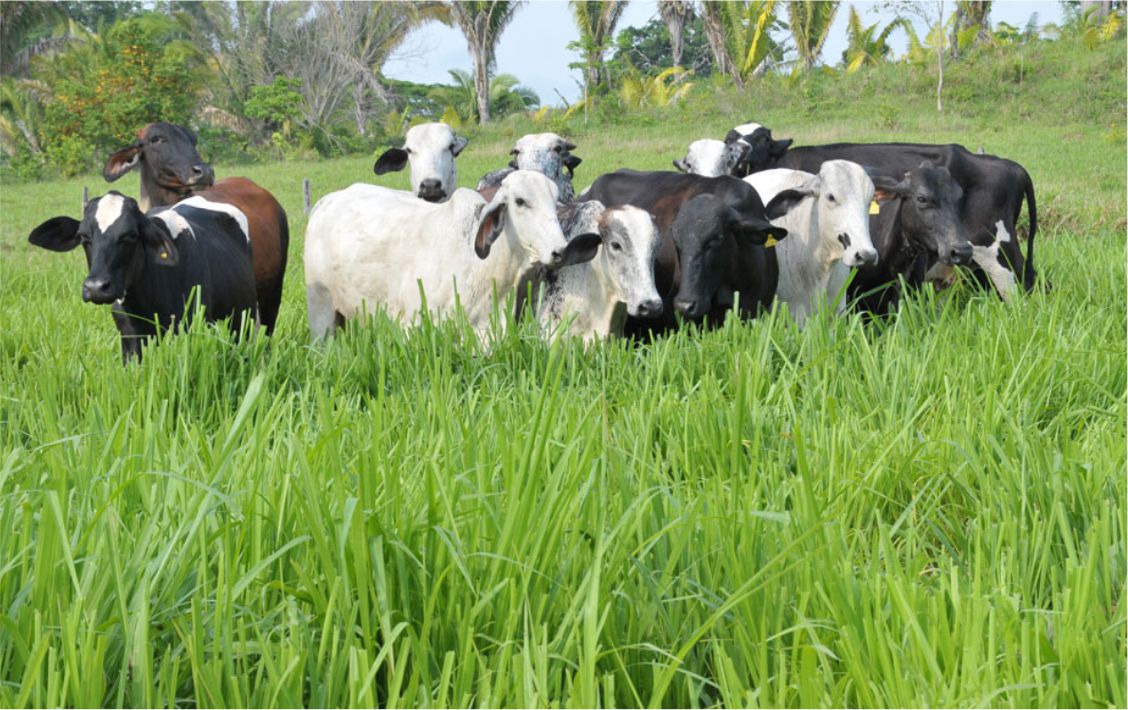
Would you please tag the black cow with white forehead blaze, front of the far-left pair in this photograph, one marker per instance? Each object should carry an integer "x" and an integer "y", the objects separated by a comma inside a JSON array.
[{"x": 147, "y": 266}]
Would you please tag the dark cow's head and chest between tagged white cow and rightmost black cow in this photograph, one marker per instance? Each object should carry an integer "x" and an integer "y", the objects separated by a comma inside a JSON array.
[{"x": 918, "y": 224}]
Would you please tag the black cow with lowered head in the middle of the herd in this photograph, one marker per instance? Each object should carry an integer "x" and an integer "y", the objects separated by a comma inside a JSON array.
[{"x": 713, "y": 234}]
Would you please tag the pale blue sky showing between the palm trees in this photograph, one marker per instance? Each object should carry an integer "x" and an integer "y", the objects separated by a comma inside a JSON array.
[{"x": 534, "y": 47}]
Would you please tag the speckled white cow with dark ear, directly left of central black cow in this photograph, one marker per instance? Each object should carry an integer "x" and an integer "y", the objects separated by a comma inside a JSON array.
[{"x": 596, "y": 297}]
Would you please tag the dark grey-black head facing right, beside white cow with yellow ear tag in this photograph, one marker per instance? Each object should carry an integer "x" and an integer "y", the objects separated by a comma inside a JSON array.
[{"x": 930, "y": 209}]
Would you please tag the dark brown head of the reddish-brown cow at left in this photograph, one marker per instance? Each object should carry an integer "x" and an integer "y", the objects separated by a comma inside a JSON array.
[{"x": 171, "y": 168}]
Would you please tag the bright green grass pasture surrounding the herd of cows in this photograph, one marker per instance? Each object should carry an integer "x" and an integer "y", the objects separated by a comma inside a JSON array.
[{"x": 926, "y": 512}]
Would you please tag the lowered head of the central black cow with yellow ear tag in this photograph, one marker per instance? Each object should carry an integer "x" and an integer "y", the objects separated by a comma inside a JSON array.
[{"x": 708, "y": 234}]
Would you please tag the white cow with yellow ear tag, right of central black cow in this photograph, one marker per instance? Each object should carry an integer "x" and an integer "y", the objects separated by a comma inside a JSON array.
[{"x": 829, "y": 233}]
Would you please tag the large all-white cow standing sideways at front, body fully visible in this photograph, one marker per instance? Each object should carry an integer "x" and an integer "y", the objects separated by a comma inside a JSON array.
[{"x": 373, "y": 248}]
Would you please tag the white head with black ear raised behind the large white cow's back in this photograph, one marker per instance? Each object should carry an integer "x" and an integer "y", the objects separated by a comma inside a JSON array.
[{"x": 431, "y": 150}]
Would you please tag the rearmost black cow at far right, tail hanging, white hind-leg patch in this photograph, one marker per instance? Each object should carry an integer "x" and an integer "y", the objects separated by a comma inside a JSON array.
[{"x": 994, "y": 190}]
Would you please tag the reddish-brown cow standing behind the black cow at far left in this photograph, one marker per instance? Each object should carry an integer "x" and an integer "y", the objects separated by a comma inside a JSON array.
[{"x": 172, "y": 171}]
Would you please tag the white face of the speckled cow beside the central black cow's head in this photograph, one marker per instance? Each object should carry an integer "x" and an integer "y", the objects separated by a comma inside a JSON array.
[{"x": 627, "y": 259}]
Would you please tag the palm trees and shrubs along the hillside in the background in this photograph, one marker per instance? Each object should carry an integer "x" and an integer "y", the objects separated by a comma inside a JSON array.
[{"x": 269, "y": 81}]
